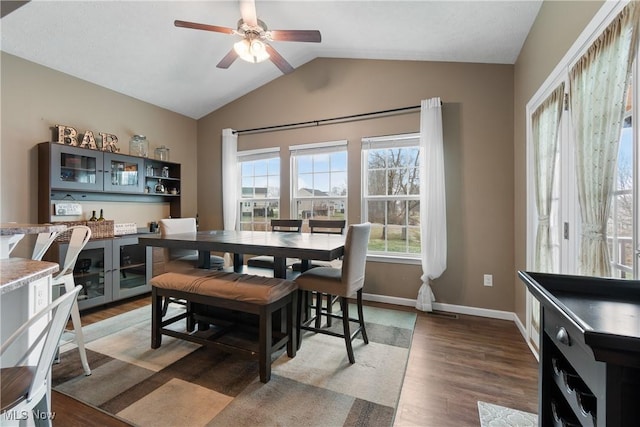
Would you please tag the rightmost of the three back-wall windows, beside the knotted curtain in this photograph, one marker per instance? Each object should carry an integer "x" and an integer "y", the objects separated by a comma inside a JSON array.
[{"x": 391, "y": 194}]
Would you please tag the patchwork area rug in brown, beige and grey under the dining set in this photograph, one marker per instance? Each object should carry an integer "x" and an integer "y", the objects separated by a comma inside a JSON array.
[{"x": 184, "y": 384}]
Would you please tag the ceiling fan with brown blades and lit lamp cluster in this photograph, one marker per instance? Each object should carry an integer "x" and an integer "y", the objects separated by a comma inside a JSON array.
[{"x": 254, "y": 45}]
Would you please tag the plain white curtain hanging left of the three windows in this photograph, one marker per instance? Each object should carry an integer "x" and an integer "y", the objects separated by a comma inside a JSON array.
[{"x": 229, "y": 183}]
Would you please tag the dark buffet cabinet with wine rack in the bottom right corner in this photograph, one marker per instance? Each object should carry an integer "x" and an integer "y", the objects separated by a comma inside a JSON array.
[{"x": 589, "y": 350}]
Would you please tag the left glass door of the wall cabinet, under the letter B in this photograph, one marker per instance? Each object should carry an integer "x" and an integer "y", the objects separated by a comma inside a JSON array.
[{"x": 76, "y": 168}]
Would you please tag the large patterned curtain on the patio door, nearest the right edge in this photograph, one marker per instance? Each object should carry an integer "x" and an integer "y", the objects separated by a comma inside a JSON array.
[{"x": 598, "y": 84}]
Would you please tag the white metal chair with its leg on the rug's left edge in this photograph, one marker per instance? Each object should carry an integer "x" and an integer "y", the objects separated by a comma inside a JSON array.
[{"x": 78, "y": 236}]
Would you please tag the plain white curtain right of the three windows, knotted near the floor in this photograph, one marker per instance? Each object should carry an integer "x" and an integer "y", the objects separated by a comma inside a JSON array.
[{"x": 433, "y": 219}]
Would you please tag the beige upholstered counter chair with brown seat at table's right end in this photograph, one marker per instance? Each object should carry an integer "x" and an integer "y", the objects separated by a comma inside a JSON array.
[{"x": 342, "y": 282}]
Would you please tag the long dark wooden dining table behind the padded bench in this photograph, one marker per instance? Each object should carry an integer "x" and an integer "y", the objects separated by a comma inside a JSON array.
[{"x": 306, "y": 246}]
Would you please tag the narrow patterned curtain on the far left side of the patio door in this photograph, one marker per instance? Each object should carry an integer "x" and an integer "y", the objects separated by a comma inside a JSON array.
[{"x": 545, "y": 123}]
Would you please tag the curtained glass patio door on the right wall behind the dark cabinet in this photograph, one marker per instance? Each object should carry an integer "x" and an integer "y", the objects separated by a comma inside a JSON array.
[{"x": 582, "y": 212}]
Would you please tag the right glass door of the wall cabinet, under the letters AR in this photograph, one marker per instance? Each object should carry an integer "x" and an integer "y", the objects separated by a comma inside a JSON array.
[{"x": 124, "y": 173}]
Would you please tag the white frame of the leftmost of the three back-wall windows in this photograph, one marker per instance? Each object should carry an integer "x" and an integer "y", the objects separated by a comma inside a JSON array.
[{"x": 257, "y": 155}]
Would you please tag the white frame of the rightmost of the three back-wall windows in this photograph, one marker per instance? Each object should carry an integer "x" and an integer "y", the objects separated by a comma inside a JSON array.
[{"x": 382, "y": 142}]
